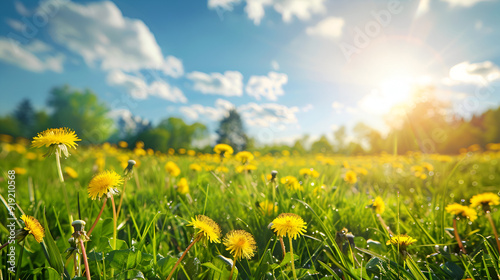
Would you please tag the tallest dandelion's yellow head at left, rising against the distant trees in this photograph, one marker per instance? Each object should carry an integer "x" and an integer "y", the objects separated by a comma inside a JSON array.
[{"x": 57, "y": 139}]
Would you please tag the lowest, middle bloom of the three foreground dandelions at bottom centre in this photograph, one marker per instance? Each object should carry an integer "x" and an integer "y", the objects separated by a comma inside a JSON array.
[{"x": 240, "y": 244}]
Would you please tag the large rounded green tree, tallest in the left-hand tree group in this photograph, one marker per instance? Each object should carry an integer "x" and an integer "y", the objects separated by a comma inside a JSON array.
[{"x": 81, "y": 111}]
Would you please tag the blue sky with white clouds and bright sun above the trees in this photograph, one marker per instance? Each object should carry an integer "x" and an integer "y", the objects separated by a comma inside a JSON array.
[{"x": 290, "y": 67}]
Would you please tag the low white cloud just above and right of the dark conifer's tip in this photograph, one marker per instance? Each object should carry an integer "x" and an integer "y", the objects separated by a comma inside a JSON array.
[{"x": 265, "y": 115}]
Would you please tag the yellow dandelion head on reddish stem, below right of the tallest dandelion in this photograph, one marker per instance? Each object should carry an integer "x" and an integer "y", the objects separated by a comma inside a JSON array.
[{"x": 104, "y": 183}]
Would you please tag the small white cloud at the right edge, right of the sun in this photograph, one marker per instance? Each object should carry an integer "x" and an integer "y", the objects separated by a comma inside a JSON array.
[{"x": 475, "y": 73}]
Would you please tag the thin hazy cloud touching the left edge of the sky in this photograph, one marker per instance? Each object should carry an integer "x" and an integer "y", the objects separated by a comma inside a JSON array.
[{"x": 32, "y": 57}]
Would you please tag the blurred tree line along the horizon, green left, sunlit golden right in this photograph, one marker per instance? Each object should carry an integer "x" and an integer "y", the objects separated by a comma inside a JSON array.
[{"x": 429, "y": 125}]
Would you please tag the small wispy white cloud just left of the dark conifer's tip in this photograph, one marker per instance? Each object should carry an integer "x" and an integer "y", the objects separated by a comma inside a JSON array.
[{"x": 213, "y": 113}]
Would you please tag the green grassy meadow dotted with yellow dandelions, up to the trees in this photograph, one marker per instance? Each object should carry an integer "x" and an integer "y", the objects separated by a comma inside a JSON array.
[{"x": 366, "y": 217}]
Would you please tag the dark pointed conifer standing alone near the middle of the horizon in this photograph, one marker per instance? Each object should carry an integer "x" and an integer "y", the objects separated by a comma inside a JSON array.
[{"x": 231, "y": 131}]
